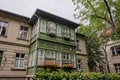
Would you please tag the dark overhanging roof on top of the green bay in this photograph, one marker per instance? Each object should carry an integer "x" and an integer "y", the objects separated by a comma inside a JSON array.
[{"x": 52, "y": 17}]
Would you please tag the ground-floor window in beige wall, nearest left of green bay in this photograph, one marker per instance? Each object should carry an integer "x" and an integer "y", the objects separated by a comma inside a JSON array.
[{"x": 19, "y": 60}]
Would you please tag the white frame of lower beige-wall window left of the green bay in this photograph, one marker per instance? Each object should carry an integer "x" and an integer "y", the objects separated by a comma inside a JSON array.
[{"x": 20, "y": 61}]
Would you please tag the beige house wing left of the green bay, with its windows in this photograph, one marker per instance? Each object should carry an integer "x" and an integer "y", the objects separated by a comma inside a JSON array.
[{"x": 14, "y": 42}]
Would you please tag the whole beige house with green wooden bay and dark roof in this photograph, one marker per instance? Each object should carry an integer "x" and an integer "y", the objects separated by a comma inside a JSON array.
[{"x": 26, "y": 45}]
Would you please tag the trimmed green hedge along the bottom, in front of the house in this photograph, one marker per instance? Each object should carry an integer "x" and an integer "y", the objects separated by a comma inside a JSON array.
[{"x": 61, "y": 75}]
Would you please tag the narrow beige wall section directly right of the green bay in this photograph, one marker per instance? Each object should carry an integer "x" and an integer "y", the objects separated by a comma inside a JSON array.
[{"x": 81, "y": 53}]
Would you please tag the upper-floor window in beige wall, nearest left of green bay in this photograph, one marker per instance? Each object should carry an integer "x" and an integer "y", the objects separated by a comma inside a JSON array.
[{"x": 23, "y": 33}]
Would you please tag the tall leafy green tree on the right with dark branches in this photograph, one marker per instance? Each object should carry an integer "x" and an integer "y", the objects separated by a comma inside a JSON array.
[{"x": 103, "y": 17}]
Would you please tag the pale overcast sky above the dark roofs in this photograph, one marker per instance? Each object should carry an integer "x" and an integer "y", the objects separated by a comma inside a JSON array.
[{"x": 63, "y": 8}]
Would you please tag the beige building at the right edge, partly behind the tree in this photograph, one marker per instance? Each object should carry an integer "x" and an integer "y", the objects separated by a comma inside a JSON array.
[{"x": 113, "y": 56}]
